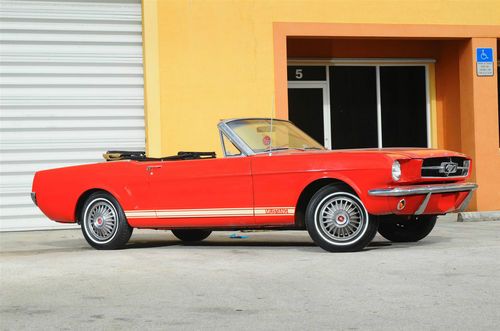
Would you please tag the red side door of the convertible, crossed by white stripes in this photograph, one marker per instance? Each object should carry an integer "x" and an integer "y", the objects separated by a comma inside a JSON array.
[{"x": 201, "y": 193}]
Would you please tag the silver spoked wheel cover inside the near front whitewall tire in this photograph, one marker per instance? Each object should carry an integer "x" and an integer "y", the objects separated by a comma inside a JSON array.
[{"x": 340, "y": 218}]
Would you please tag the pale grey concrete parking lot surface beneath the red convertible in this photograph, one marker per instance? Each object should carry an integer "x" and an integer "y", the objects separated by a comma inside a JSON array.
[{"x": 270, "y": 280}]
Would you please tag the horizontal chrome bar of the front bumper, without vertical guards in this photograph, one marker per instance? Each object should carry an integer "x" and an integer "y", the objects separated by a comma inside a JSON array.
[{"x": 423, "y": 189}]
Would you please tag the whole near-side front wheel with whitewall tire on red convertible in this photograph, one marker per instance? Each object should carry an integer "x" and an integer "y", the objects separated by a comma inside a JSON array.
[{"x": 337, "y": 220}]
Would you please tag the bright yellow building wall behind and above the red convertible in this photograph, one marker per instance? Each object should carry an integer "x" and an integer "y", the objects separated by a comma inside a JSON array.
[{"x": 206, "y": 60}]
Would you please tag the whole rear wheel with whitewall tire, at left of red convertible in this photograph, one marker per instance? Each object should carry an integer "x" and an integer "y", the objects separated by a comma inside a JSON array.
[{"x": 103, "y": 222}]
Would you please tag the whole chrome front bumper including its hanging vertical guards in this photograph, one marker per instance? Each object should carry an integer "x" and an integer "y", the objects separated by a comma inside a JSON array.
[{"x": 428, "y": 190}]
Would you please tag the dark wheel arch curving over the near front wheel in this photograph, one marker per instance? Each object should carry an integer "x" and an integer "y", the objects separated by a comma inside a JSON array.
[{"x": 308, "y": 192}]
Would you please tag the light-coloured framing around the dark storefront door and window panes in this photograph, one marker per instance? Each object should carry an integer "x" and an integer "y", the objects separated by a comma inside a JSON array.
[{"x": 377, "y": 63}]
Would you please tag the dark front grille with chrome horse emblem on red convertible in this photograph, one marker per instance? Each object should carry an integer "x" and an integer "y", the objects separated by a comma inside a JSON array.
[{"x": 445, "y": 167}]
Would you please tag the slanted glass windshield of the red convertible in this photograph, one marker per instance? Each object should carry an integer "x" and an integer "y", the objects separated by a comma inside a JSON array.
[{"x": 265, "y": 135}]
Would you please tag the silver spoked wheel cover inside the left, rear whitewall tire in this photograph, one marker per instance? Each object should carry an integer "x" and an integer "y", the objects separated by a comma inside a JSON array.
[{"x": 101, "y": 220}]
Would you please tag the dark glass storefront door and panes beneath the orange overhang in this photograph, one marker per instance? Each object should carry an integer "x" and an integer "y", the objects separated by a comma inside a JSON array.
[{"x": 362, "y": 105}]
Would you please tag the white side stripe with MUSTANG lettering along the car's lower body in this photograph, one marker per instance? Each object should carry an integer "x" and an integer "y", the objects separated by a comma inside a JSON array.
[{"x": 211, "y": 212}]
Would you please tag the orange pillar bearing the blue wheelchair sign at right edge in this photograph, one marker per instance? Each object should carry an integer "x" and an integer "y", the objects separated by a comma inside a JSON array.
[{"x": 479, "y": 119}]
